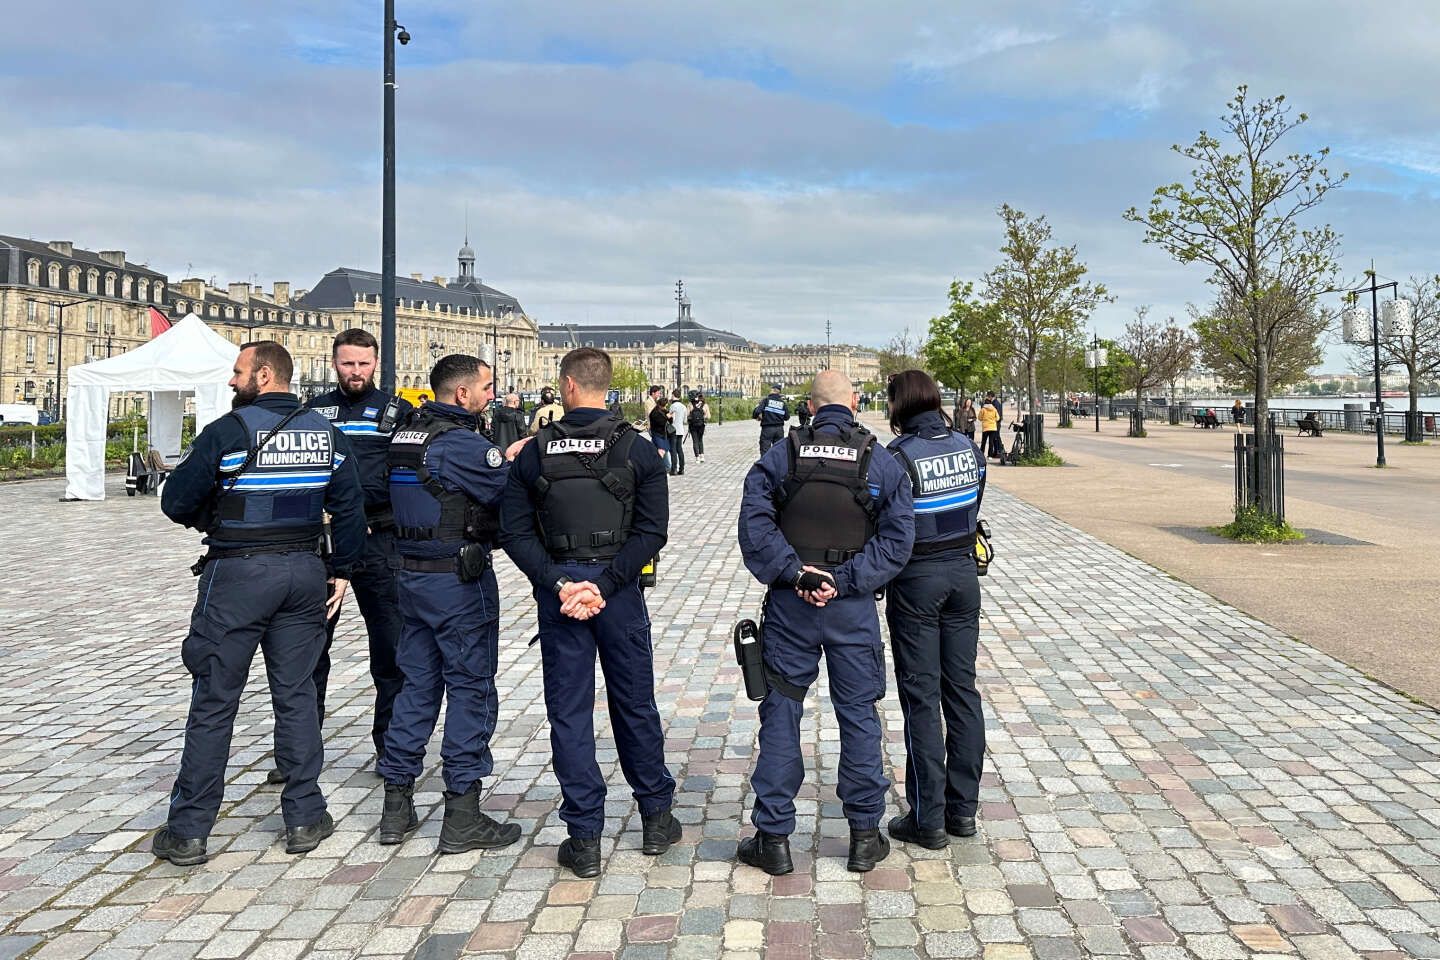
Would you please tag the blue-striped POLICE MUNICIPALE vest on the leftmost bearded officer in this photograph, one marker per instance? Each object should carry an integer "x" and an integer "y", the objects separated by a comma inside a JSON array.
[{"x": 280, "y": 496}]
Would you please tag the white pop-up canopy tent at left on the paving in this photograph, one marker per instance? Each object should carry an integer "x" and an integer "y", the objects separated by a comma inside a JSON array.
[{"x": 186, "y": 359}]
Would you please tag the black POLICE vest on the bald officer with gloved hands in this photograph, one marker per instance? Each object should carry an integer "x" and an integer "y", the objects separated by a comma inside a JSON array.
[{"x": 827, "y": 513}]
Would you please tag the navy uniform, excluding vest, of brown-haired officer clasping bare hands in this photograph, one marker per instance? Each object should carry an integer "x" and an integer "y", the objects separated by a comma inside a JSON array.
[{"x": 620, "y": 634}]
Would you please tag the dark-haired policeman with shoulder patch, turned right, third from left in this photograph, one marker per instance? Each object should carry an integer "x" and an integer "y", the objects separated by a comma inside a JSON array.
[{"x": 446, "y": 487}]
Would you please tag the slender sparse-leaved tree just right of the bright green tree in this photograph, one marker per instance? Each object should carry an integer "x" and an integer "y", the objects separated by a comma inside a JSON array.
[{"x": 1039, "y": 291}]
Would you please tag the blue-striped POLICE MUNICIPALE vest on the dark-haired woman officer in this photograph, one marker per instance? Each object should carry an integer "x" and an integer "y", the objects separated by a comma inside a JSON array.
[{"x": 945, "y": 479}]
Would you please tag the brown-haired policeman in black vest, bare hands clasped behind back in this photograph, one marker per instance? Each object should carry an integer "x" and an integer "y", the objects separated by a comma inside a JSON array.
[{"x": 585, "y": 510}]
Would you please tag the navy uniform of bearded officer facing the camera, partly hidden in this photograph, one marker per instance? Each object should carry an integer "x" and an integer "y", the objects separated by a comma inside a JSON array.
[{"x": 372, "y": 582}]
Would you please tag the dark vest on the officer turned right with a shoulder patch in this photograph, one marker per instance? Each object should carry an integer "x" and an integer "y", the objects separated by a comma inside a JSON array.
[{"x": 453, "y": 517}]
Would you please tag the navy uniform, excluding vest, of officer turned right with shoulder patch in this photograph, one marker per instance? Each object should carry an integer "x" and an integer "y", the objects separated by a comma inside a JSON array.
[{"x": 450, "y": 631}]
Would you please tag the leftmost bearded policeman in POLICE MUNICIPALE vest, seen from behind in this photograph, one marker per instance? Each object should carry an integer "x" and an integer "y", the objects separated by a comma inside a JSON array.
[{"x": 258, "y": 483}]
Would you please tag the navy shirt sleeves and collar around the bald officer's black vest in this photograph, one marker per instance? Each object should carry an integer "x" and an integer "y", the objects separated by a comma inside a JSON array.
[{"x": 773, "y": 561}]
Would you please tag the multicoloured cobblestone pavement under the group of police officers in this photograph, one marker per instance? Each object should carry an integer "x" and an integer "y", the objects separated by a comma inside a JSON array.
[{"x": 1167, "y": 778}]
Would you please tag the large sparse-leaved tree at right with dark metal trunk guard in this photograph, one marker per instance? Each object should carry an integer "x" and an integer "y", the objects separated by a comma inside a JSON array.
[{"x": 1242, "y": 217}]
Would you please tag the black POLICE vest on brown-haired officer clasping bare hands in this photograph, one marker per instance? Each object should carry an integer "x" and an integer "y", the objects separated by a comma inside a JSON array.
[{"x": 587, "y": 489}]
